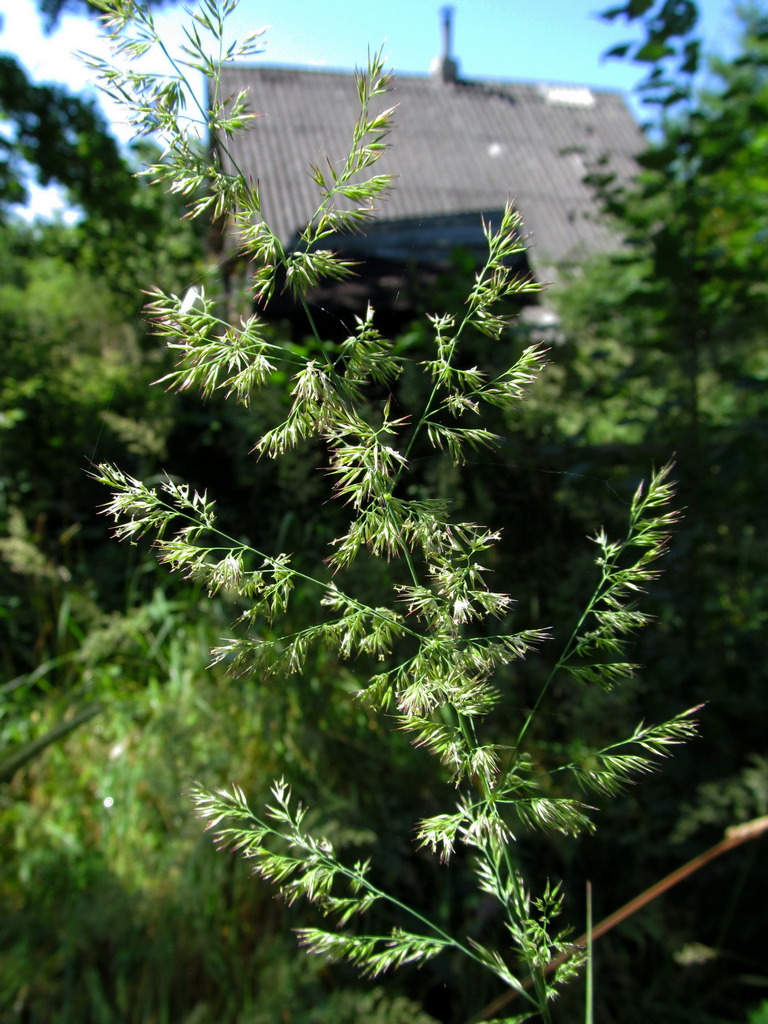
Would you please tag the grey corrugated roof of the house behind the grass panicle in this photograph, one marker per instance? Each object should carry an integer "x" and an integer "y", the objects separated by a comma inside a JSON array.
[{"x": 458, "y": 149}]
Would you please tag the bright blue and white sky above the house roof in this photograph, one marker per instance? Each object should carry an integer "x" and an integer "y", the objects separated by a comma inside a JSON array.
[{"x": 530, "y": 40}]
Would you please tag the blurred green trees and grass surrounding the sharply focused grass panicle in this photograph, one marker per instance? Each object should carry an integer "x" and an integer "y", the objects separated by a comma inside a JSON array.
[{"x": 116, "y": 909}]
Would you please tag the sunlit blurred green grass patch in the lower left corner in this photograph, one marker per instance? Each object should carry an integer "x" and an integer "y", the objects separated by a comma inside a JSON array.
[{"x": 113, "y": 907}]
